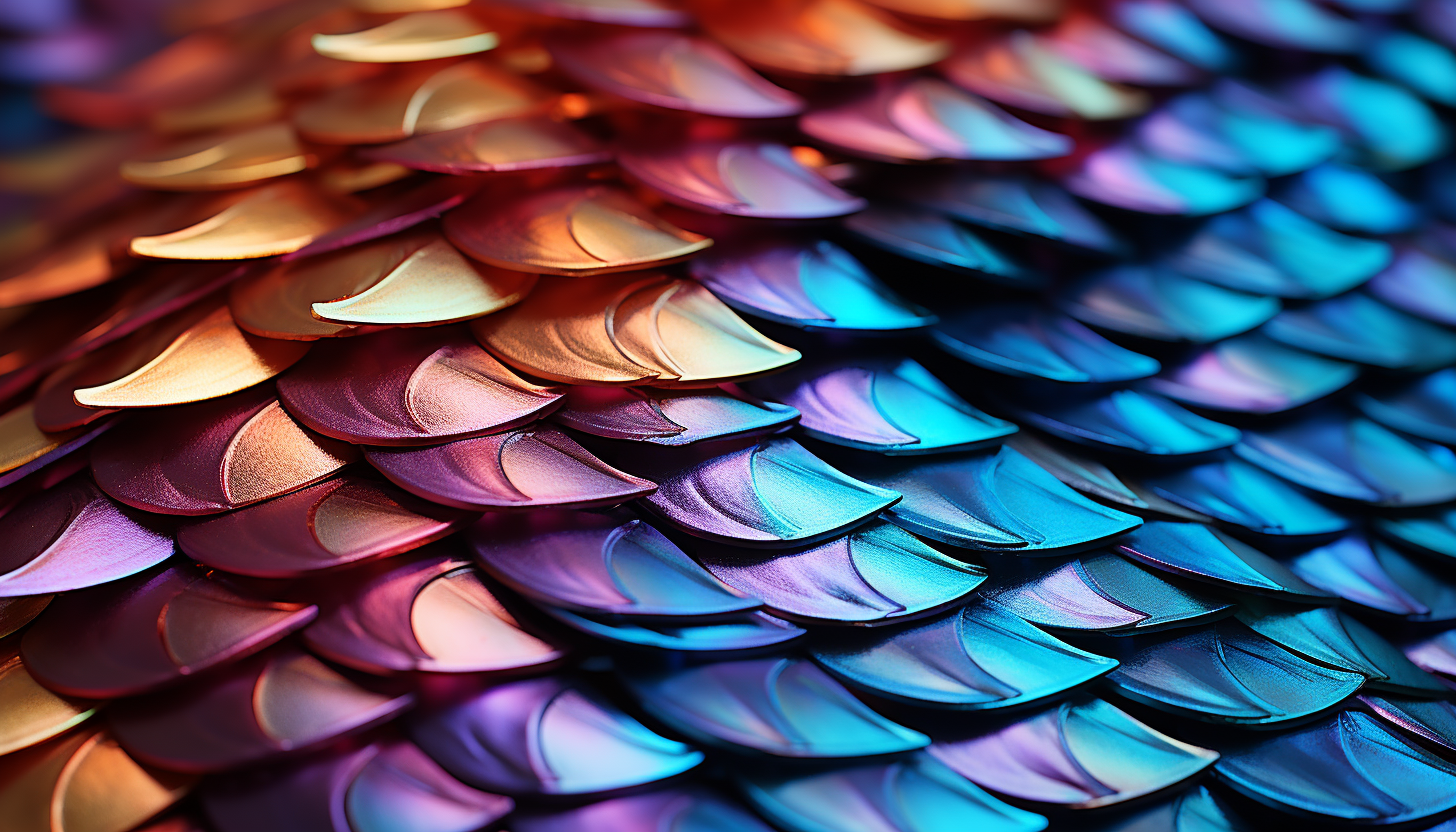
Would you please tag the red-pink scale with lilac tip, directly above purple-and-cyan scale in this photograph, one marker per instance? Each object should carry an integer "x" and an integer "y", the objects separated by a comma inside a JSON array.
[{"x": 742, "y": 178}]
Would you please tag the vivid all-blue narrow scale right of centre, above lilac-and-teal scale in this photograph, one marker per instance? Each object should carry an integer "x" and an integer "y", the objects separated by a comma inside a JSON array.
[{"x": 1246, "y": 496}]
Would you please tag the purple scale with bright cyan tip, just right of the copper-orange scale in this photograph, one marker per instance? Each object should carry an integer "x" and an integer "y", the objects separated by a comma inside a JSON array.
[{"x": 810, "y": 285}]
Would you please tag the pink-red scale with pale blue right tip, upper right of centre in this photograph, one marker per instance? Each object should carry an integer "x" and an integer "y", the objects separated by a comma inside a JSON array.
[{"x": 924, "y": 120}]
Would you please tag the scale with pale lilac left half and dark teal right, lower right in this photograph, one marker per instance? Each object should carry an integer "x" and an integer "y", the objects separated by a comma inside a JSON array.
[{"x": 1104, "y": 592}]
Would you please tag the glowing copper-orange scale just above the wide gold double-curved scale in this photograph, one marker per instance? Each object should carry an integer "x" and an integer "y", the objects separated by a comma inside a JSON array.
[{"x": 571, "y": 231}]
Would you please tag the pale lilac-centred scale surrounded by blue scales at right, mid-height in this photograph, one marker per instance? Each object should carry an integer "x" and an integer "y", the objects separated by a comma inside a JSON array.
[{"x": 1253, "y": 374}]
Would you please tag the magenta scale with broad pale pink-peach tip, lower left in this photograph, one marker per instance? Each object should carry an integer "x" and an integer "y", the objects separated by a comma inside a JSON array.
[{"x": 433, "y": 616}]
